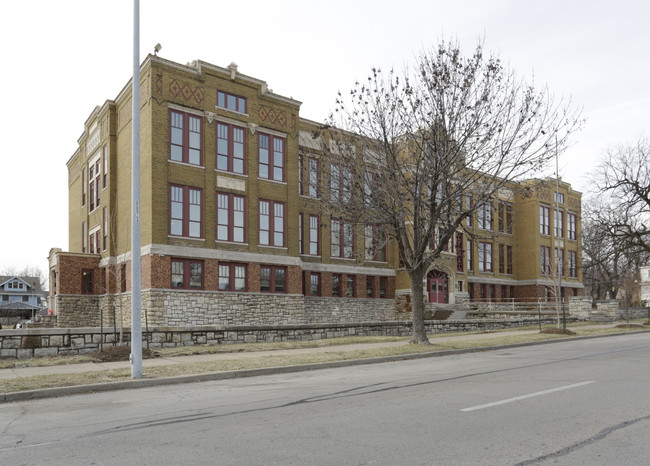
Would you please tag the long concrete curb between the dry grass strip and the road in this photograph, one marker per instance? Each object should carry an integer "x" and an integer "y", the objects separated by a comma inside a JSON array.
[{"x": 140, "y": 383}]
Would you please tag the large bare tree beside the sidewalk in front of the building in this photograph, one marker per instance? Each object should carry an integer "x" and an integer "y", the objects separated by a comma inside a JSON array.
[{"x": 436, "y": 143}]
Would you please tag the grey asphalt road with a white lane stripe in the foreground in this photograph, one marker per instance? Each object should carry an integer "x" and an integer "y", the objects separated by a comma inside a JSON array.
[{"x": 568, "y": 403}]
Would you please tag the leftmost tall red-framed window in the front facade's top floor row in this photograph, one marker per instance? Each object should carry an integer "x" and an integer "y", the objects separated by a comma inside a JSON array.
[{"x": 185, "y": 141}]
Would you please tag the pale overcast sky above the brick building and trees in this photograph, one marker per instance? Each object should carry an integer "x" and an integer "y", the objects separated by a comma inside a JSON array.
[{"x": 61, "y": 59}]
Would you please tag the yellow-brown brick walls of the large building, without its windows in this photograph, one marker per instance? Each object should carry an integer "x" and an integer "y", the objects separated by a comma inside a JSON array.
[{"x": 192, "y": 90}]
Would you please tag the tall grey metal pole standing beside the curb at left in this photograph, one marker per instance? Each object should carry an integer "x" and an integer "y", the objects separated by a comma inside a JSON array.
[{"x": 136, "y": 294}]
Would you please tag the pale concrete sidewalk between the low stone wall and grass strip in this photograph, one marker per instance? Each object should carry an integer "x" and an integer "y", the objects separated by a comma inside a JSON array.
[{"x": 11, "y": 373}]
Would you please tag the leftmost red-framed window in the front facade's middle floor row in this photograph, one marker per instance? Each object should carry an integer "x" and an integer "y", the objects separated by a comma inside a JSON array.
[{"x": 185, "y": 211}]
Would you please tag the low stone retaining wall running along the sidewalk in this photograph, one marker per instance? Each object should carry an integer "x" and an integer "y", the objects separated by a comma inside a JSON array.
[{"x": 28, "y": 343}]
